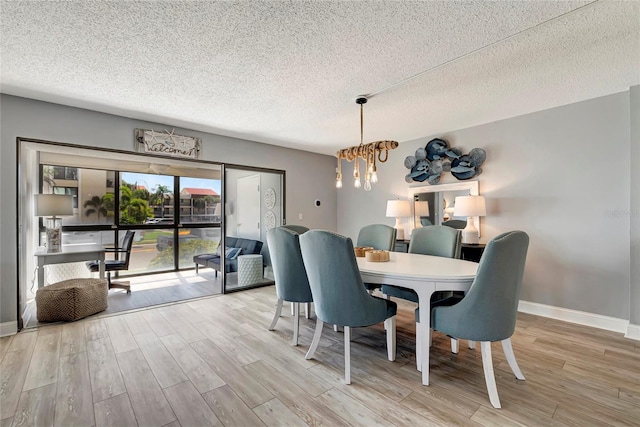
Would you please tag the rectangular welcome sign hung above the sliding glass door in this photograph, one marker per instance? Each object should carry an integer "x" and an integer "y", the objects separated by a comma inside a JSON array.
[{"x": 167, "y": 144}]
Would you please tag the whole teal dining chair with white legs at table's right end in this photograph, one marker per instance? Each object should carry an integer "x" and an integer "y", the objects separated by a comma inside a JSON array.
[{"x": 488, "y": 311}]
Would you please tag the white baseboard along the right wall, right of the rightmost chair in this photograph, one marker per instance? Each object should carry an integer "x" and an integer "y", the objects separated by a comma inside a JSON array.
[{"x": 580, "y": 317}]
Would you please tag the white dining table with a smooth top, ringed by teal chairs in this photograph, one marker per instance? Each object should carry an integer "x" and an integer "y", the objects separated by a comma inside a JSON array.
[{"x": 424, "y": 274}]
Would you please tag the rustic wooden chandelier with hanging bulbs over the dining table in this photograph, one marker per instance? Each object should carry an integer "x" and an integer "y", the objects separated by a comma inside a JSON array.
[{"x": 370, "y": 153}]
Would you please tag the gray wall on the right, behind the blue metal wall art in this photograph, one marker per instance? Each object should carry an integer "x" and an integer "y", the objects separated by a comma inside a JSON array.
[{"x": 562, "y": 175}]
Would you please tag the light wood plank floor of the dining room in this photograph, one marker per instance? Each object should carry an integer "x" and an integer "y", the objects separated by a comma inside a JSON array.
[{"x": 213, "y": 362}]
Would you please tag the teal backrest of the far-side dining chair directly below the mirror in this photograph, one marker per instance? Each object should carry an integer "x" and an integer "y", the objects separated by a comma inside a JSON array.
[{"x": 436, "y": 240}]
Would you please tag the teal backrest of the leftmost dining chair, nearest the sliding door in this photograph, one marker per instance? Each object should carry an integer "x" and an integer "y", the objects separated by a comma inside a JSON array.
[{"x": 292, "y": 283}]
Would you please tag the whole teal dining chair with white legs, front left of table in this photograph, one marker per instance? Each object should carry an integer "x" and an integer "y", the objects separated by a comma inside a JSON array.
[{"x": 339, "y": 295}]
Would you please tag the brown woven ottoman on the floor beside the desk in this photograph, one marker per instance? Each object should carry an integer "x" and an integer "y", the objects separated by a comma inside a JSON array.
[{"x": 71, "y": 299}]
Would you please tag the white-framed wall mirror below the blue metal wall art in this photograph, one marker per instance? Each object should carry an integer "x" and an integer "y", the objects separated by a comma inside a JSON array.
[{"x": 433, "y": 204}]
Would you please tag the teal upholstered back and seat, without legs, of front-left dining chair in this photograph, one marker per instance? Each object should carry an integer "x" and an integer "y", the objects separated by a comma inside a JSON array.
[{"x": 339, "y": 296}]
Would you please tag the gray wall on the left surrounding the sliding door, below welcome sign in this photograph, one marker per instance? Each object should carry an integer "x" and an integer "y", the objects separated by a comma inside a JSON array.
[{"x": 309, "y": 176}]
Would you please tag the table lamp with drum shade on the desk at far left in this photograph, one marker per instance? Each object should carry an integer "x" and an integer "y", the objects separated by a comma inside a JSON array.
[{"x": 52, "y": 206}]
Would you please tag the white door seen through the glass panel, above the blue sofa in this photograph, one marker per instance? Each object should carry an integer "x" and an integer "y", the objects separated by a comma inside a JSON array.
[{"x": 248, "y": 213}]
